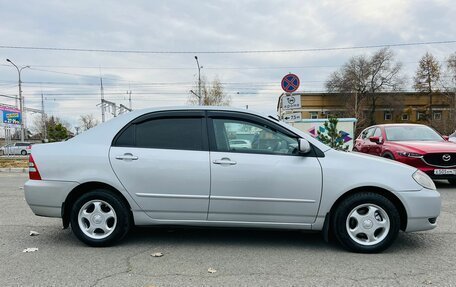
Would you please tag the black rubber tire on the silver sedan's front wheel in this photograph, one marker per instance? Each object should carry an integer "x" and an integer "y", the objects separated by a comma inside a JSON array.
[{"x": 341, "y": 223}]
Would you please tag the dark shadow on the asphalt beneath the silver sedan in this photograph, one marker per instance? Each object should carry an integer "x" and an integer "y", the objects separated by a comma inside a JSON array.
[{"x": 241, "y": 238}]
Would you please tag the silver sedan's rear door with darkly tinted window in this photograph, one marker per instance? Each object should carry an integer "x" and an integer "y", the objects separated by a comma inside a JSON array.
[{"x": 162, "y": 160}]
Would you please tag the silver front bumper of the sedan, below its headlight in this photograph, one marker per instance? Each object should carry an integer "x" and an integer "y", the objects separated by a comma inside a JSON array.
[{"x": 422, "y": 207}]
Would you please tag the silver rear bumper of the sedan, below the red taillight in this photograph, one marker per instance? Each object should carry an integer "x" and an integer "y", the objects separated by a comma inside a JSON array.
[{"x": 45, "y": 197}]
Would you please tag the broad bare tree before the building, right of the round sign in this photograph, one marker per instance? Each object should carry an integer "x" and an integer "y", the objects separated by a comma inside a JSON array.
[{"x": 362, "y": 79}]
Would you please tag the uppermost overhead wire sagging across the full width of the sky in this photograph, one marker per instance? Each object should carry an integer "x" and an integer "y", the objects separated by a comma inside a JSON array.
[{"x": 228, "y": 51}]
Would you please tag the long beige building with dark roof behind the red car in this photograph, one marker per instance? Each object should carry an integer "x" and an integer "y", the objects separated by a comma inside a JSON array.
[{"x": 400, "y": 107}]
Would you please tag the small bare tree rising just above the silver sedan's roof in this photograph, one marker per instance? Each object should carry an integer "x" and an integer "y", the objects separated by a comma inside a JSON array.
[{"x": 211, "y": 94}]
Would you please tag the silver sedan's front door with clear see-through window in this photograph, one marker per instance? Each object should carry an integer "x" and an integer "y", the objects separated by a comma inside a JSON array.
[{"x": 267, "y": 182}]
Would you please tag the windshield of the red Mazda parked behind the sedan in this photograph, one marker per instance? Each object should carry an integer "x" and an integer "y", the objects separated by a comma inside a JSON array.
[{"x": 412, "y": 133}]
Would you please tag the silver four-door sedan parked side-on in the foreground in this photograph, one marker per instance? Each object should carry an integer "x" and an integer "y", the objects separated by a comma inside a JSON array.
[{"x": 174, "y": 166}]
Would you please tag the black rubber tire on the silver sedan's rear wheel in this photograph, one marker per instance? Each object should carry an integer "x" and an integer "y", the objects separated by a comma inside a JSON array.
[{"x": 120, "y": 221}]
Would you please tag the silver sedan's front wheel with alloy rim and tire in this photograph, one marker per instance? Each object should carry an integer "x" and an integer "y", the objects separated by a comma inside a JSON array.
[{"x": 366, "y": 222}]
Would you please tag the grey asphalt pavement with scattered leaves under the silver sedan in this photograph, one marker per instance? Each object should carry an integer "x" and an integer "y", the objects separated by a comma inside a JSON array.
[{"x": 239, "y": 257}]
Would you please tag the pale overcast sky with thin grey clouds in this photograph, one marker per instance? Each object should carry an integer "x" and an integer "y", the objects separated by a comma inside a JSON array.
[{"x": 70, "y": 80}]
